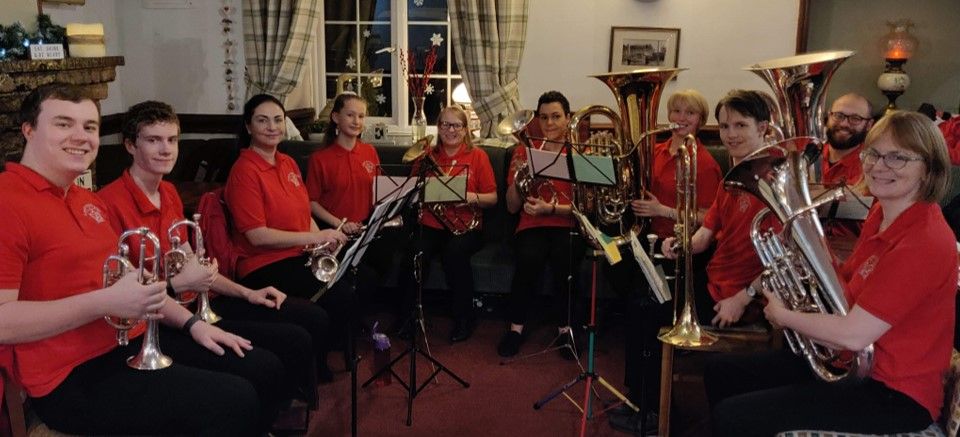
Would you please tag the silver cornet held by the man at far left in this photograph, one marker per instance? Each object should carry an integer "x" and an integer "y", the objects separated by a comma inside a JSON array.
[{"x": 115, "y": 266}]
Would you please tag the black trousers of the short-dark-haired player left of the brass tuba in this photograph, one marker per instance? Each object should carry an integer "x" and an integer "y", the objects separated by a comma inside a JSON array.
[{"x": 534, "y": 250}]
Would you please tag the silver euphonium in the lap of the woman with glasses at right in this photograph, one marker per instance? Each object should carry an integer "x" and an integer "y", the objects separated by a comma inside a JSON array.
[{"x": 798, "y": 266}]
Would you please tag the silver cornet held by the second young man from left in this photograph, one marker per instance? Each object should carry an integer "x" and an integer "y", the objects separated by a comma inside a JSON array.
[{"x": 177, "y": 257}]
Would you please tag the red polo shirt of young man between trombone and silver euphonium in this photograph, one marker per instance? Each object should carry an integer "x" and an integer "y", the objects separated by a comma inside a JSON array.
[{"x": 735, "y": 262}]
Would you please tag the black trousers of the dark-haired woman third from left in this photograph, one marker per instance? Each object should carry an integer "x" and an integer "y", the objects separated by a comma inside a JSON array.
[{"x": 291, "y": 276}]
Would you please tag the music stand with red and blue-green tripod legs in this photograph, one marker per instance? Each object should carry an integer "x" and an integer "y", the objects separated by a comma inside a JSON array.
[{"x": 594, "y": 170}]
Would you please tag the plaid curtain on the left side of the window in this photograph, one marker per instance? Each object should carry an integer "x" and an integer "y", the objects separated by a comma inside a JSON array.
[{"x": 275, "y": 37}]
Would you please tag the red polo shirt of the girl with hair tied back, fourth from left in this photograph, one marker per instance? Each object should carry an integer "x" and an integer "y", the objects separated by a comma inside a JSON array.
[{"x": 341, "y": 180}]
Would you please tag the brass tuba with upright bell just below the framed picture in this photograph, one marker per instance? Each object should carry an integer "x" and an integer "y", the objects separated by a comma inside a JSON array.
[{"x": 638, "y": 96}]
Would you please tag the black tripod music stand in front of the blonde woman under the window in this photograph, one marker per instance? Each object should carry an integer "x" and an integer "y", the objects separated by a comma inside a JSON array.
[{"x": 414, "y": 198}]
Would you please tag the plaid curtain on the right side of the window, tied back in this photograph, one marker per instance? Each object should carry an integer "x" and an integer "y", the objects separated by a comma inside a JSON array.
[{"x": 488, "y": 38}]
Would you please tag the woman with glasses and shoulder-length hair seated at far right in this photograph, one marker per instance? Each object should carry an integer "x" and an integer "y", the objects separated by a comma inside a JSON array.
[{"x": 900, "y": 284}]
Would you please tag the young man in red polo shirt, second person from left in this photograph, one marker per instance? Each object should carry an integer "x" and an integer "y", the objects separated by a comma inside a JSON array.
[{"x": 140, "y": 197}]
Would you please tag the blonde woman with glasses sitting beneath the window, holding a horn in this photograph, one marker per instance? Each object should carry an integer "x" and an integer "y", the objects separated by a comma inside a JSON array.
[{"x": 451, "y": 237}]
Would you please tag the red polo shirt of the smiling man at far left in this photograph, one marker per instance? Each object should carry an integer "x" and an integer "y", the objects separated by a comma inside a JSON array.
[{"x": 52, "y": 246}]
